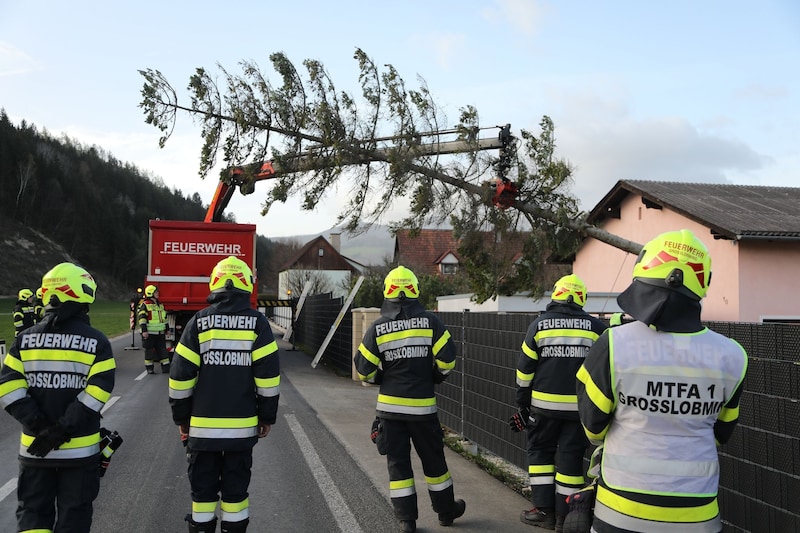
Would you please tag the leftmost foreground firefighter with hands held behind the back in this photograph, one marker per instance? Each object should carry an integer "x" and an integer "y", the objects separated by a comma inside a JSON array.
[{"x": 57, "y": 376}]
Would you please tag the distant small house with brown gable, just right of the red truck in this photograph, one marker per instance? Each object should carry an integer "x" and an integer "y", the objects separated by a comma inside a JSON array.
[{"x": 320, "y": 262}]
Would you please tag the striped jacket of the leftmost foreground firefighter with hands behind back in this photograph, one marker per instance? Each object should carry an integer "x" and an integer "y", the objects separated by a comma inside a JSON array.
[{"x": 59, "y": 371}]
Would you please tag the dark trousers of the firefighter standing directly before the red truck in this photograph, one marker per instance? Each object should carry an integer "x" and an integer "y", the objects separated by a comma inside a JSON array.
[{"x": 212, "y": 474}]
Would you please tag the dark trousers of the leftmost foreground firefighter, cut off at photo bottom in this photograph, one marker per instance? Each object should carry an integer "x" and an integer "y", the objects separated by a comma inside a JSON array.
[{"x": 56, "y": 499}]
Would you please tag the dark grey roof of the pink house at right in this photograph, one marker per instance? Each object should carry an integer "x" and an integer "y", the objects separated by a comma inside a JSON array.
[{"x": 736, "y": 212}]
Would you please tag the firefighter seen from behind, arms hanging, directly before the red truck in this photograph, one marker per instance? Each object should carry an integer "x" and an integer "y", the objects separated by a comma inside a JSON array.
[{"x": 223, "y": 389}]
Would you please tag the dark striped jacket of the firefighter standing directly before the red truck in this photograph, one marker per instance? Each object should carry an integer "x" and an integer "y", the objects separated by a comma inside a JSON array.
[{"x": 225, "y": 378}]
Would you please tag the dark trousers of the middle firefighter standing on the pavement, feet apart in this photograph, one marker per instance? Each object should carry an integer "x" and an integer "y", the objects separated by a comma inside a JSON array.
[{"x": 428, "y": 441}]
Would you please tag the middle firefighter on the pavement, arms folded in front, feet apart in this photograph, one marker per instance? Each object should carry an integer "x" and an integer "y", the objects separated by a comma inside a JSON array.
[{"x": 407, "y": 351}]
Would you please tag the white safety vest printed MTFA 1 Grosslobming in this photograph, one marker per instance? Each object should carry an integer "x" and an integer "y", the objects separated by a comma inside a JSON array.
[{"x": 670, "y": 388}]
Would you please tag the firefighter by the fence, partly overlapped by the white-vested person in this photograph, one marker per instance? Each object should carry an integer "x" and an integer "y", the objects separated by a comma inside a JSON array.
[{"x": 554, "y": 348}]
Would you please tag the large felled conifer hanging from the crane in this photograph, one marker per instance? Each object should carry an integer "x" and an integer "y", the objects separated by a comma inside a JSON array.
[{"x": 377, "y": 148}]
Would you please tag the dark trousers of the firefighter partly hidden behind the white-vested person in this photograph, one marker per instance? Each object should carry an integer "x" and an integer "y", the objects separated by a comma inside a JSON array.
[{"x": 554, "y": 476}]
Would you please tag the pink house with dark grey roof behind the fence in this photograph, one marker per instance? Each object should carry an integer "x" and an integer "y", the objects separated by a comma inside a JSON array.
[{"x": 752, "y": 233}]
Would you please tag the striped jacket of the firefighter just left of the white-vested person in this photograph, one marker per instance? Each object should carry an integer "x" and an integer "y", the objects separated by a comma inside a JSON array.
[{"x": 553, "y": 350}]
